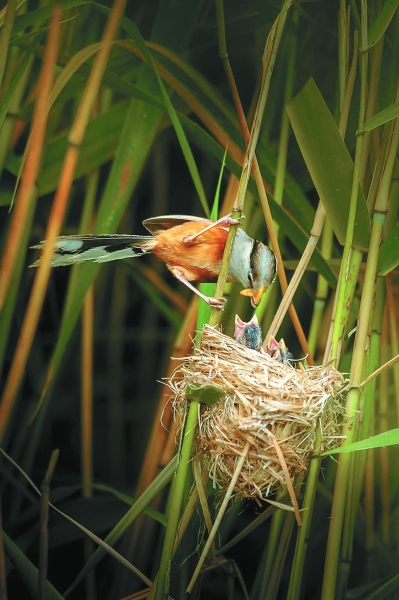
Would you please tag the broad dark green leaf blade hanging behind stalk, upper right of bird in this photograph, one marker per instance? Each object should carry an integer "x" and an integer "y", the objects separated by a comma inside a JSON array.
[{"x": 329, "y": 163}]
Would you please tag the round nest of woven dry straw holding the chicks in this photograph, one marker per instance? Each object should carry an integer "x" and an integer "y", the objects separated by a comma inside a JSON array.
[{"x": 274, "y": 407}]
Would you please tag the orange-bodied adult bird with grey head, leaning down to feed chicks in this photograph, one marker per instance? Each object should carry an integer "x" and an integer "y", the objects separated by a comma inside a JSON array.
[{"x": 191, "y": 247}]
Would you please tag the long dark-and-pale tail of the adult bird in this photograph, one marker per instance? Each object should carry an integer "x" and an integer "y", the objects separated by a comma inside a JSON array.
[{"x": 72, "y": 249}]
